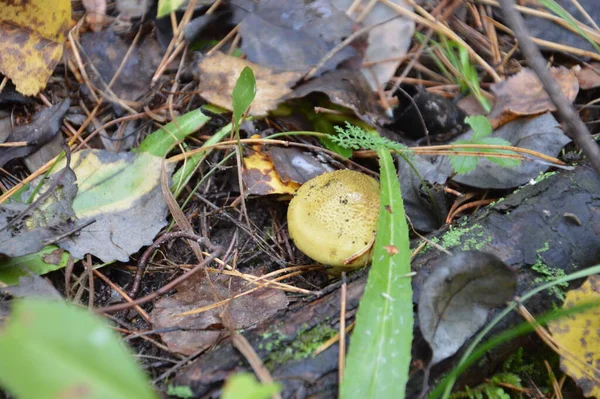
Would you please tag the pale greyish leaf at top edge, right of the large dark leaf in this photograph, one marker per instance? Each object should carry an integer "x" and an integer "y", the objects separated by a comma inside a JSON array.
[{"x": 387, "y": 43}]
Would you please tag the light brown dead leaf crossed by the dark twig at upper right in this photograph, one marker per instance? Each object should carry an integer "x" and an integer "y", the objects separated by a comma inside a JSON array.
[{"x": 524, "y": 95}]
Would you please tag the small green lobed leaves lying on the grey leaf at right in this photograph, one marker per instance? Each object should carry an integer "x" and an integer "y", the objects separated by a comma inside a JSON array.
[{"x": 481, "y": 130}]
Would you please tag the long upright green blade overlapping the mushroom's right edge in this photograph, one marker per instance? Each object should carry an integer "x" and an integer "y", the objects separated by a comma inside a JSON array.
[{"x": 379, "y": 357}]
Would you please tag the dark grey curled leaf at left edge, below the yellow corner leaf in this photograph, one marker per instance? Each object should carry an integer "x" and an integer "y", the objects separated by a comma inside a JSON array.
[{"x": 43, "y": 127}]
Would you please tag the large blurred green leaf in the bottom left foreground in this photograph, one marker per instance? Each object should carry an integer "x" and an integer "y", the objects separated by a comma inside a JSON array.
[{"x": 55, "y": 350}]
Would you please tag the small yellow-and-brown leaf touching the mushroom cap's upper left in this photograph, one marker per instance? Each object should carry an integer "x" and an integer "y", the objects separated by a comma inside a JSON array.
[{"x": 260, "y": 177}]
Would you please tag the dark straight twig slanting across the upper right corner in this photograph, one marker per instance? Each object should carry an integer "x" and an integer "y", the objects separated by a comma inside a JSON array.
[{"x": 575, "y": 126}]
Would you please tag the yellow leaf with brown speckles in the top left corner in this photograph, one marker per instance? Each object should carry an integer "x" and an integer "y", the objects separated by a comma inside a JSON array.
[{"x": 32, "y": 34}]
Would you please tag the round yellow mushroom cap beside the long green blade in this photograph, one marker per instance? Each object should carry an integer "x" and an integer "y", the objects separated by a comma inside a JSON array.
[{"x": 333, "y": 217}]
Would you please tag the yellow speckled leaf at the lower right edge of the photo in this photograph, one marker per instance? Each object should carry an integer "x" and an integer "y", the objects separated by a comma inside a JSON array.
[{"x": 579, "y": 337}]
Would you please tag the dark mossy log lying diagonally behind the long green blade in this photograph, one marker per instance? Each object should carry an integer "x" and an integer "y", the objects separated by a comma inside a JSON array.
[{"x": 554, "y": 224}]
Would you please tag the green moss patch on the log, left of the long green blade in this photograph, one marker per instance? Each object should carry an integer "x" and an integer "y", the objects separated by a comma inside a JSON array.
[{"x": 305, "y": 344}]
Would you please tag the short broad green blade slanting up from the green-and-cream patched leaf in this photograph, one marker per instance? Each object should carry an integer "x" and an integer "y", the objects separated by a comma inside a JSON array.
[{"x": 162, "y": 140}]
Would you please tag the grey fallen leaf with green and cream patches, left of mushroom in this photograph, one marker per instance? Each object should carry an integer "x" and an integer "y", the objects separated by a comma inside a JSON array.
[{"x": 121, "y": 193}]
